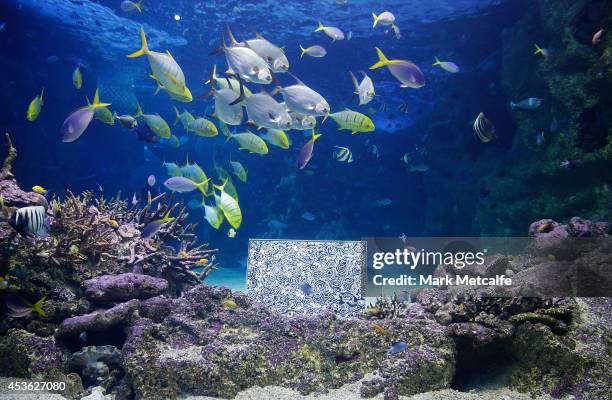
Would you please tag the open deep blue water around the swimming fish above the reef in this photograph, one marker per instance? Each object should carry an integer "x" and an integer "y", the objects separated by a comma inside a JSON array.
[{"x": 42, "y": 43}]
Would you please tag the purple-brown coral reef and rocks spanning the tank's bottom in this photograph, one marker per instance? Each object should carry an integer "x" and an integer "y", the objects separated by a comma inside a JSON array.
[{"x": 131, "y": 318}]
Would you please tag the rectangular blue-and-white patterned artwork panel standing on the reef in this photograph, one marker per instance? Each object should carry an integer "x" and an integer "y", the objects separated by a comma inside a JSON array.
[{"x": 306, "y": 277}]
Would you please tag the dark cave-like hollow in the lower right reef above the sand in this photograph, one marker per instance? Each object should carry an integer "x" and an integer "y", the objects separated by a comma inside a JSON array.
[{"x": 481, "y": 366}]
